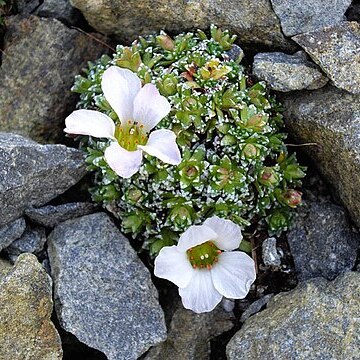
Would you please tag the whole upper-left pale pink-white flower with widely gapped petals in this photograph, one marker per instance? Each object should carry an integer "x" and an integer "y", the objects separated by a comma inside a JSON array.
[{"x": 139, "y": 109}]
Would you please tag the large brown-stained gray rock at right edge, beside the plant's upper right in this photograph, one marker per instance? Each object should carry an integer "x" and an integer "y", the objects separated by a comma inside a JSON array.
[{"x": 329, "y": 118}]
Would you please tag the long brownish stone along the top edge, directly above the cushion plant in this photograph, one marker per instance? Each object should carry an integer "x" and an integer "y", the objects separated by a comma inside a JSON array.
[{"x": 253, "y": 21}]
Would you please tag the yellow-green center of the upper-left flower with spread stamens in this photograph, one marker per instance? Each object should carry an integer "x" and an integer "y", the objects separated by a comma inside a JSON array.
[{"x": 130, "y": 135}]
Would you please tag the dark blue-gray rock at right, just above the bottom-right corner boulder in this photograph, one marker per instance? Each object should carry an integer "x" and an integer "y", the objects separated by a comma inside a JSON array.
[{"x": 322, "y": 242}]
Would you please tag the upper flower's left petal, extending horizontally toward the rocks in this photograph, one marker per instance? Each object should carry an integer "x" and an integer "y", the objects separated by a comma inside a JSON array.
[{"x": 90, "y": 122}]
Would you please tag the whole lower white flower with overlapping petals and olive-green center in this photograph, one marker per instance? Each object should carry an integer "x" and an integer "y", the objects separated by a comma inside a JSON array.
[{"x": 203, "y": 266}]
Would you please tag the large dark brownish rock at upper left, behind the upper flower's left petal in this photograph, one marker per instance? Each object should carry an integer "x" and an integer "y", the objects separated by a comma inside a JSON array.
[{"x": 42, "y": 58}]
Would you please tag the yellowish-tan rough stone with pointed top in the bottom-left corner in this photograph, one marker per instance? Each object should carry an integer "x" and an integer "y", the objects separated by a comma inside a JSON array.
[{"x": 26, "y": 331}]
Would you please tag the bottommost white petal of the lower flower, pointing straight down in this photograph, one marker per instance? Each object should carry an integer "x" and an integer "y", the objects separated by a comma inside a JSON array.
[{"x": 200, "y": 295}]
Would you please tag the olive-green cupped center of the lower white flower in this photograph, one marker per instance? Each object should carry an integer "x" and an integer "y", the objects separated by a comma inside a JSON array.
[{"x": 203, "y": 255}]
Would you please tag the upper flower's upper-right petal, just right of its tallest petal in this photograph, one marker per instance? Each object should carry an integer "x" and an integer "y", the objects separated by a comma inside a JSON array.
[{"x": 150, "y": 107}]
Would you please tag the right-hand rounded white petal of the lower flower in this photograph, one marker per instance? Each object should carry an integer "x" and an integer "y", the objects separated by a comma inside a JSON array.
[{"x": 233, "y": 274}]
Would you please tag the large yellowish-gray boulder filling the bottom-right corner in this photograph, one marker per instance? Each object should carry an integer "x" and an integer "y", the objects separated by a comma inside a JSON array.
[{"x": 317, "y": 320}]
